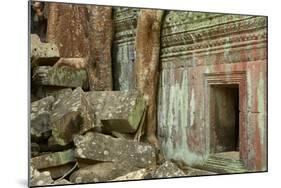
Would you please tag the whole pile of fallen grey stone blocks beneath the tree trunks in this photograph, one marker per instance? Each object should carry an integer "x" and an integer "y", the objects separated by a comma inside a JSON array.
[{"x": 80, "y": 136}]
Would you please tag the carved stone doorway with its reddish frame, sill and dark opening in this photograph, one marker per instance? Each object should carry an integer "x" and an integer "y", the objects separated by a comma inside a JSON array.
[{"x": 226, "y": 127}]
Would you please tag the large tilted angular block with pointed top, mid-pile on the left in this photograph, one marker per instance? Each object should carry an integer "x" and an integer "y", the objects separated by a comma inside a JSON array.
[{"x": 71, "y": 115}]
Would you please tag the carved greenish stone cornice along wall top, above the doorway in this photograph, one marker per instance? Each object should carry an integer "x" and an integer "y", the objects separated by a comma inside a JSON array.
[{"x": 184, "y": 36}]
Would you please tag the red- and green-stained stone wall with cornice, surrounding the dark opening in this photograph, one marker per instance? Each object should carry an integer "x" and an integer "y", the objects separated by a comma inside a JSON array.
[{"x": 202, "y": 49}]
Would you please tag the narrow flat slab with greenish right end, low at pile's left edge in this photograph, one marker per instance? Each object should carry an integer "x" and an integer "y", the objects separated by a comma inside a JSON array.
[{"x": 53, "y": 159}]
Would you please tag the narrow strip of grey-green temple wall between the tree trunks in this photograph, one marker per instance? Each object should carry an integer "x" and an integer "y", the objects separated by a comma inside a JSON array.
[{"x": 123, "y": 48}]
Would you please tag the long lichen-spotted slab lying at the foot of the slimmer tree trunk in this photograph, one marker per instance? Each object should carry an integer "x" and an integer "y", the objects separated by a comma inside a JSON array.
[{"x": 99, "y": 147}]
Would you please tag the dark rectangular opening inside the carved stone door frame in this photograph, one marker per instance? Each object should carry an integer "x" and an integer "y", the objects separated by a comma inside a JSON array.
[{"x": 224, "y": 116}]
